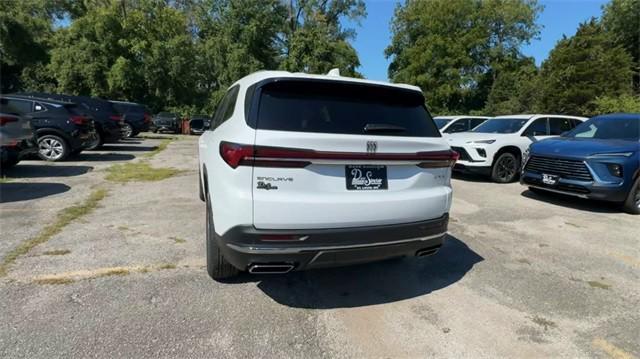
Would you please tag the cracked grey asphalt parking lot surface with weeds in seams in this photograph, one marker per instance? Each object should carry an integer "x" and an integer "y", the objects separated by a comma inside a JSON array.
[{"x": 520, "y": 275}]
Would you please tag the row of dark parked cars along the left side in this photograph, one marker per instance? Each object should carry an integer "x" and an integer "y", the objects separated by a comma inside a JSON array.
[{"x": 56, "y": 126}]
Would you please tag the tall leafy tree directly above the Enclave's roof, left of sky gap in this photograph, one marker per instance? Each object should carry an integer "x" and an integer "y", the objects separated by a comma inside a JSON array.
[{"x": 313, "y": 39}]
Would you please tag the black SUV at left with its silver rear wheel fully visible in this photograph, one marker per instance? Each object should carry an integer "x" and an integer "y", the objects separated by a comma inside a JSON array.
[{"x": 61, "y": 128}]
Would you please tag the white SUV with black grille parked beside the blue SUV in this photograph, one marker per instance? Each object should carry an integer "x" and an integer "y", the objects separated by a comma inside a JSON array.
[{"x": 496, "y": 147}]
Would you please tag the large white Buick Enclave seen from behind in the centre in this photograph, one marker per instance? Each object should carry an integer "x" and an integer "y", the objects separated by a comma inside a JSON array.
[{"x": 303, "y": 171}]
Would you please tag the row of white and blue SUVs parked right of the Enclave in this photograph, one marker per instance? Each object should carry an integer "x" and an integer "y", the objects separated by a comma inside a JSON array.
[{"x": 594, "y": 158}]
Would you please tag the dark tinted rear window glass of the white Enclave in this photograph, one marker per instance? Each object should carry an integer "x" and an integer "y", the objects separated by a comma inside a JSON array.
[{"x": 330, "y": 107}]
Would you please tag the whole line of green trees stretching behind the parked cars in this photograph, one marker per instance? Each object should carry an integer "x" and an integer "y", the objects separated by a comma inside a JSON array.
[{"x": 181, "y": 55}]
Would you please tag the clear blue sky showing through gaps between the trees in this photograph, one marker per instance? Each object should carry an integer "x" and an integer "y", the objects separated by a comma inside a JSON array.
[{"x": 559, "y": 17}]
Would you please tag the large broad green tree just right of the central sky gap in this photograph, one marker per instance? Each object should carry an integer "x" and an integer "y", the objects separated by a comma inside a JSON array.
[{"x": 455, "y": 49}]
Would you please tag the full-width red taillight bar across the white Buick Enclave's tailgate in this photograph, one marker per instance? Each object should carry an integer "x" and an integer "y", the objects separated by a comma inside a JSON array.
[{"x": 263, "y": 156}]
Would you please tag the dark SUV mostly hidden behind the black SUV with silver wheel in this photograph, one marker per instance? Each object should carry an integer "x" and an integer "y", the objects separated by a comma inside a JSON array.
[{"x": 108, "y": 121}]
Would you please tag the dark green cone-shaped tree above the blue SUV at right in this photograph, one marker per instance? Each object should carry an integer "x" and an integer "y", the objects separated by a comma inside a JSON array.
[{"x": 582, "y": 68}]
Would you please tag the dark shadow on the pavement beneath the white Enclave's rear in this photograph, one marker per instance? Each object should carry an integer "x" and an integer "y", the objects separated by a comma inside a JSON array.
[{"x": 368, "y": 284}]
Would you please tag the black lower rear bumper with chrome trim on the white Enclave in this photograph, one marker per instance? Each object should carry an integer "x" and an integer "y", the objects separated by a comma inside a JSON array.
[{"x": 242, "y": 245}]
